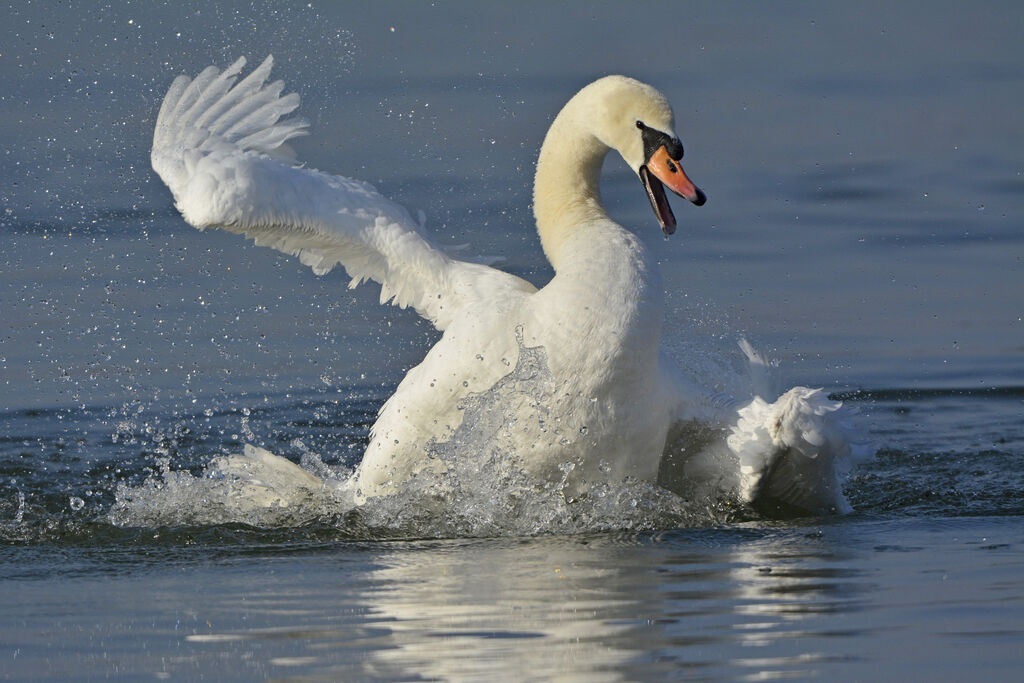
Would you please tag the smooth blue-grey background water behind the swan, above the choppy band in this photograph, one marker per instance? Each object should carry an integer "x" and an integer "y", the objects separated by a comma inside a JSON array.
[{"x": 863, "y": 163}]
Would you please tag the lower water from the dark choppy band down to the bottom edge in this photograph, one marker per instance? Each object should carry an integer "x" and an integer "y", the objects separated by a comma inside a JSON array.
[{"x": 924, "y": 577}]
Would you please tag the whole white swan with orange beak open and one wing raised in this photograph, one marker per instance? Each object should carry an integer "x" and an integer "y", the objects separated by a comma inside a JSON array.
[{"x": 614, "y": 399}]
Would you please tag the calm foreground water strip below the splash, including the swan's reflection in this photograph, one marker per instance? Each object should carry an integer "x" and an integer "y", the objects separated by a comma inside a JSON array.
[{"x": 736, "y": 604}]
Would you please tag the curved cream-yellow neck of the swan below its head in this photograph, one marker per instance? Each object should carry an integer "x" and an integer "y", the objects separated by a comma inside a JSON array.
[{"x": 567, "y": 188}]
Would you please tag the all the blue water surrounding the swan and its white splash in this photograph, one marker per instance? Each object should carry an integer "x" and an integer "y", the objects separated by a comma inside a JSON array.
[{"x": 864, "y": 227}]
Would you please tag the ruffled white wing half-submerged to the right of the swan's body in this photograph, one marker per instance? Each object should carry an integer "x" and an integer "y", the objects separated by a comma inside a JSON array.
[{"x": 795, "y": 454}]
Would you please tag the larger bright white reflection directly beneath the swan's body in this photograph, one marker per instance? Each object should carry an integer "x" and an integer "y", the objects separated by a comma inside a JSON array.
[{"x": 505, "y": 611}]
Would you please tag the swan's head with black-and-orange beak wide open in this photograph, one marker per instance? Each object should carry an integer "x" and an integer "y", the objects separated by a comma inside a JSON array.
[{"x": 637, "y": 121}]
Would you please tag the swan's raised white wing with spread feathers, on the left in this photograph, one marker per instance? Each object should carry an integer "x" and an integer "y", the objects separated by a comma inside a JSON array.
[{"x": 221, "y": 146}]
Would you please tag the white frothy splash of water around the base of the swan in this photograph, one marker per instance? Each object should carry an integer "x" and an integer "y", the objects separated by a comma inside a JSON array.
[{"x": 479, "y": 488}]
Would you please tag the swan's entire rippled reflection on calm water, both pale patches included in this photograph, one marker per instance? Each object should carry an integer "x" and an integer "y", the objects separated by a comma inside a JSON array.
[{"x": 590, "y": 609}]
